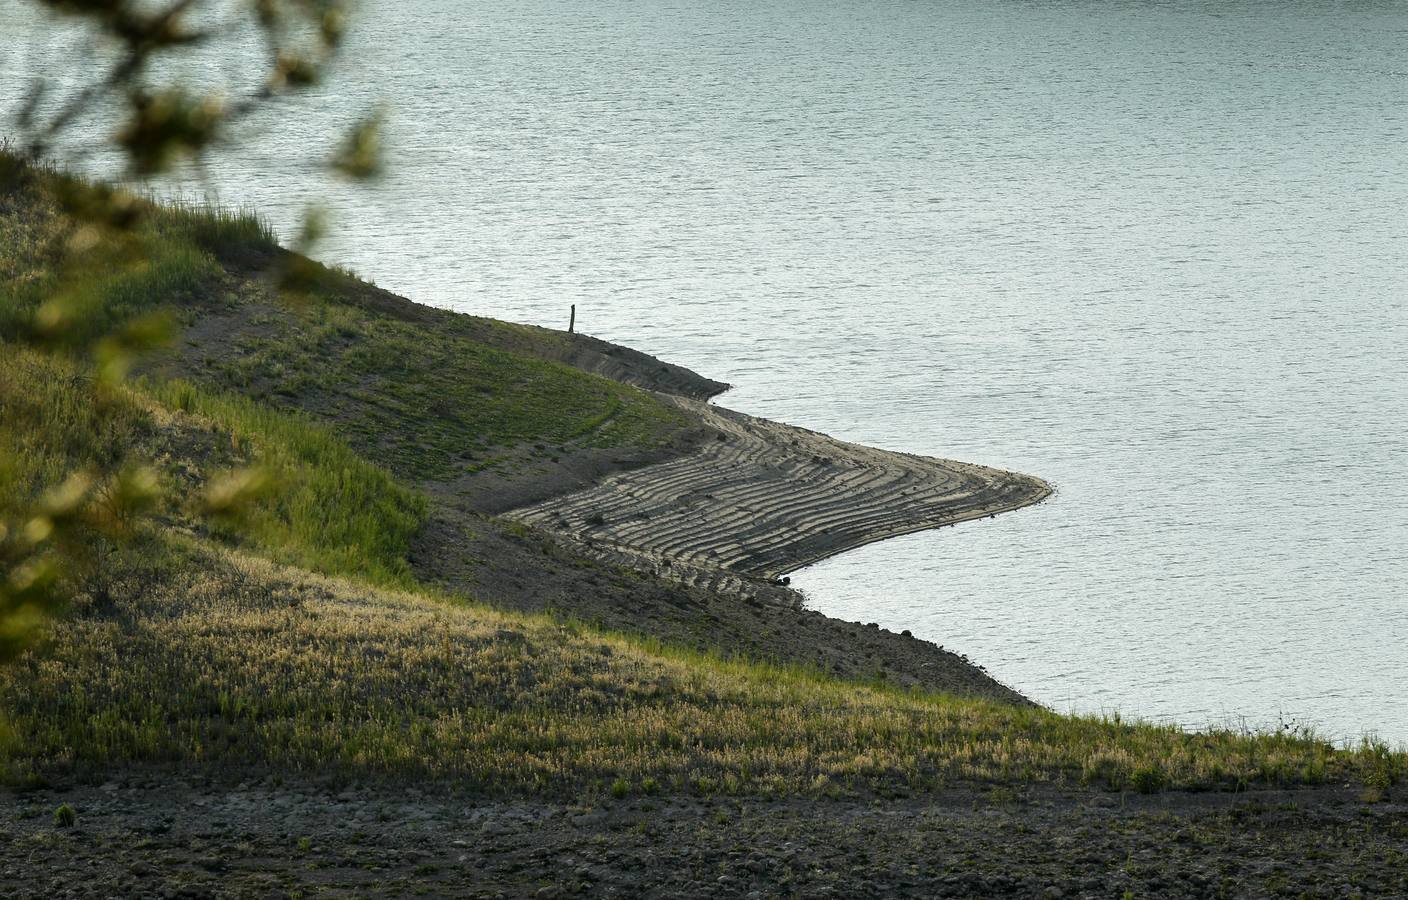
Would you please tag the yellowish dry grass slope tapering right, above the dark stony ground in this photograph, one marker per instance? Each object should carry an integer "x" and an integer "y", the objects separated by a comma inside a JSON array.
[{"x": 213, "y": 658}]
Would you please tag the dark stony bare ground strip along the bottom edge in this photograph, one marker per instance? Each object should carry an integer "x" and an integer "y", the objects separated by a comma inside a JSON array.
[{"x": 160, "y": 837}]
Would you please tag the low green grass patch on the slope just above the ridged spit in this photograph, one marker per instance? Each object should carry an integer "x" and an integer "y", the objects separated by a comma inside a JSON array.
[{"x": 429, "y": 399}]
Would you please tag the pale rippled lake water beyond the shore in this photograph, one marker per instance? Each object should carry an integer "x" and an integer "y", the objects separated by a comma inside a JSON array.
[{"x": 1154, "y": 253}]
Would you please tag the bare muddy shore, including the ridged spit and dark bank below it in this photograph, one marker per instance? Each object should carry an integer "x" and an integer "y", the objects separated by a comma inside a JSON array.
[{"x": 689, "y": 547}]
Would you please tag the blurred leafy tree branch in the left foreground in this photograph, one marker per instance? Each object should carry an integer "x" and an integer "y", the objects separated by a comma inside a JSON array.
[{"x": 53, "y": 543}]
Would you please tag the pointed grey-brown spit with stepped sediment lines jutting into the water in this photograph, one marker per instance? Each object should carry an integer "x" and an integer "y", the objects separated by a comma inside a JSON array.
[{"x": 765, "y": 499}]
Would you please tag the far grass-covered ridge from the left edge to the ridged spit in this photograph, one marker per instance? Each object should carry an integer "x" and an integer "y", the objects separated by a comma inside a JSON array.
[{"x": 427, "y": 394}]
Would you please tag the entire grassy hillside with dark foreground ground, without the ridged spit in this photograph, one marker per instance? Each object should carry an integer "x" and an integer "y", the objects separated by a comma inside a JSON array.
[{"x": 372, "y": 626}]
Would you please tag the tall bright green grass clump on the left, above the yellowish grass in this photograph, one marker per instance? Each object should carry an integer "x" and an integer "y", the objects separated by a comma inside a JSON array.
[{"x": 329, "y": 509}]
